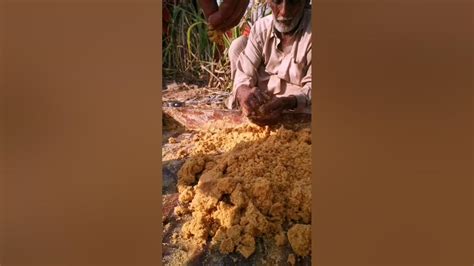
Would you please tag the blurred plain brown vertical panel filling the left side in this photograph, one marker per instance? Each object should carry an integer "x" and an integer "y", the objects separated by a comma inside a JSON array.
[{"x": 83, "y": 133}]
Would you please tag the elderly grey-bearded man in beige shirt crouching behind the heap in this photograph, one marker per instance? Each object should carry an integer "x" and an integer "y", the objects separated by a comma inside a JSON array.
[{"x": 273, "y": 72}]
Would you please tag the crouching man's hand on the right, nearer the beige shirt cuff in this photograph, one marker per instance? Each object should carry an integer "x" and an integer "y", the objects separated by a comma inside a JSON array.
[{"x": 270, "y": 112}]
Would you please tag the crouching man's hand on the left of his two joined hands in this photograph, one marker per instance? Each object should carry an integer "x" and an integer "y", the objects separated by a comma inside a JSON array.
[{"x": 251, "y": 99}]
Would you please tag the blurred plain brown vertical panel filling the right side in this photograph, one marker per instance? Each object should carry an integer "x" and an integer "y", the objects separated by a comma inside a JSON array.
[{"x": 393, "y": 132}]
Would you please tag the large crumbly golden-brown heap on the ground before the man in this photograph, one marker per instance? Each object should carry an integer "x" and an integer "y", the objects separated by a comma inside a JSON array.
[{"x": 244, "y": 183}]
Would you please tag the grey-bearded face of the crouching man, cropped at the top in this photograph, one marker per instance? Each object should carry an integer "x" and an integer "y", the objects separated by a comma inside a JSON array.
[{"x": 286, "y": 13}]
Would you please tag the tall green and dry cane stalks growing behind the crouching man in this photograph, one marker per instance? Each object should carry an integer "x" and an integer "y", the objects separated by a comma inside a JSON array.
[{"x": 189, "y": 55}]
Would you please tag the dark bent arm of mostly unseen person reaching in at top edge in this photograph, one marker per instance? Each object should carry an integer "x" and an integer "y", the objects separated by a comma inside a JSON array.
[{"x": 225, "y": 16}]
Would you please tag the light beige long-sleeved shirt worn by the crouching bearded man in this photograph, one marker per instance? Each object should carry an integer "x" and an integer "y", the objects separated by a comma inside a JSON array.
[{"x": 262, "y": 64}]
